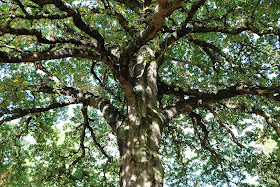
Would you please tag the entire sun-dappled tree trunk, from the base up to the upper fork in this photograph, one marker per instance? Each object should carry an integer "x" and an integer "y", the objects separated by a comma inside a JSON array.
[{"x": 140, "y": 134}]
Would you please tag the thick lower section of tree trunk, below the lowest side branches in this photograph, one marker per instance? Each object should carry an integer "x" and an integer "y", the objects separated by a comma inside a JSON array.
[{"x": 139, "y": 146}]
